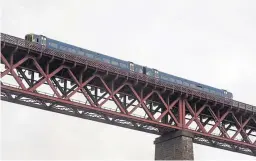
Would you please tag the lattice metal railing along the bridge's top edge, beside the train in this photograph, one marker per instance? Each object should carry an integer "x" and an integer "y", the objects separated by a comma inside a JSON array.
[{"x": 137, "y": 76}]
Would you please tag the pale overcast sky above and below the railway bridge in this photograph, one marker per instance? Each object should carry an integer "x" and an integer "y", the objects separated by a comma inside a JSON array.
[{"x": 212, "y": 42}]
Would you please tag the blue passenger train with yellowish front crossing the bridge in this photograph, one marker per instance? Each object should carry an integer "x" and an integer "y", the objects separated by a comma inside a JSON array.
[{"x": 125, "y": 65}]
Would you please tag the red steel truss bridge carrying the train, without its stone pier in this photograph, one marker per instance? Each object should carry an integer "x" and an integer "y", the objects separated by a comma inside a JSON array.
[{"x": 60, "y": 82}]
